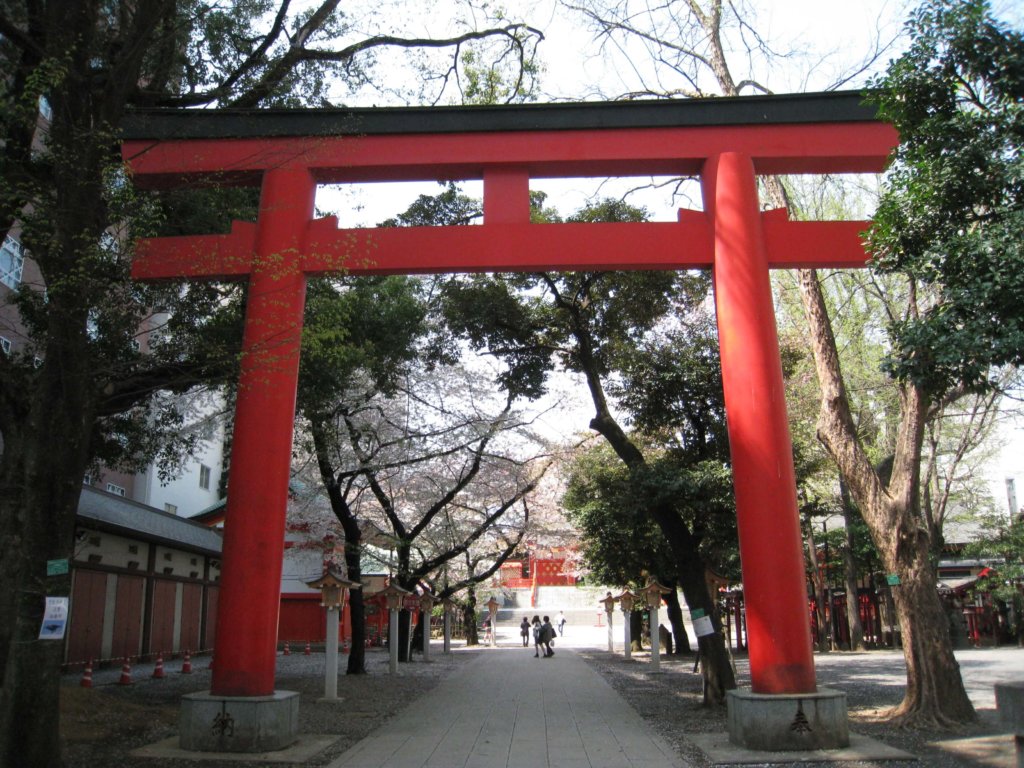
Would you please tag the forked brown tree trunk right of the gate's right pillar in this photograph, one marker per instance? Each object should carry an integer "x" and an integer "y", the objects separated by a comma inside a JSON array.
[{"x": 935, "y": 695}]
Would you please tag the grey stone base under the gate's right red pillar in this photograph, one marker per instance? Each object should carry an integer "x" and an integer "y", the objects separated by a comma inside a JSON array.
[{"x": 792, "y": 722}]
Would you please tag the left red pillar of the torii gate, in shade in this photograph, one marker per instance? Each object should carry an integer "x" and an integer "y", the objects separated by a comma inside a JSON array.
[{"x": 254, "y": 527}]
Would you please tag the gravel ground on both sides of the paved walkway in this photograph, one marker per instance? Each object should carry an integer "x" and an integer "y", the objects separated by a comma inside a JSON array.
[{"x": 102, "y": 727}]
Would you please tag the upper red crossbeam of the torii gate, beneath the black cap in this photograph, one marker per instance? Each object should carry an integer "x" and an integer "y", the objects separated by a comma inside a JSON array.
[{"x": 808, "y": 148}]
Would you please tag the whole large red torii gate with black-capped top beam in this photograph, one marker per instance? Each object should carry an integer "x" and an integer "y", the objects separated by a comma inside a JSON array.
[{"x": 726, "y": 143}]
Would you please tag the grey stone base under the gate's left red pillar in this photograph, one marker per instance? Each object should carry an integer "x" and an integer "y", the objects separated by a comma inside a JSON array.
[{"x": 210, "y": 723}]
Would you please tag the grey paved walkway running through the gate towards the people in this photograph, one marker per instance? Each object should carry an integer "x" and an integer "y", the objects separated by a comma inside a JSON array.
[{"x": 508, "y": 710}]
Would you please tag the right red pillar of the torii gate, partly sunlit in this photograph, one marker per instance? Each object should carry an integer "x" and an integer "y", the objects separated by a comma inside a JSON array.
[{"x": 772, "y": 557}]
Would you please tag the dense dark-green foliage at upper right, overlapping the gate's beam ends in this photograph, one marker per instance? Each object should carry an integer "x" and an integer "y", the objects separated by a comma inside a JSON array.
[{"x": 953, "y": 214}]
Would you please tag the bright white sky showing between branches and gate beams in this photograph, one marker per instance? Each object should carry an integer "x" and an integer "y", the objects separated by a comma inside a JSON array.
[{"x": 820, "y": 44}]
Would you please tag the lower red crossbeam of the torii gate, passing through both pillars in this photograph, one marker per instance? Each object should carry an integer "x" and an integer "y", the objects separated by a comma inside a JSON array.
[{"x": 505, "y": 248}]
